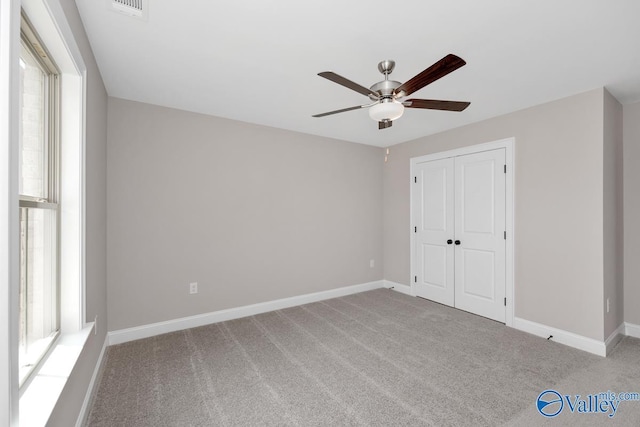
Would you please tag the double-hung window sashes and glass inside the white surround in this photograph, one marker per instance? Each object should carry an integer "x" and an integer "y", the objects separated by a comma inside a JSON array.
[{"x": 39, "y": 189}]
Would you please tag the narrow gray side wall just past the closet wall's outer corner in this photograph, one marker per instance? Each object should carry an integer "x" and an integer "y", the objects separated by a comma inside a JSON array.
[{"x": 613, "y": 219}]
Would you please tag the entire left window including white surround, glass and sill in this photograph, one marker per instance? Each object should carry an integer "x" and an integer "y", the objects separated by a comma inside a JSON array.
[{"x": 43, "y": 180}]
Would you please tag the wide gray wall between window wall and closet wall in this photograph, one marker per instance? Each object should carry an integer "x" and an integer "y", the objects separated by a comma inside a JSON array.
[{"x": 251, "y": 213}]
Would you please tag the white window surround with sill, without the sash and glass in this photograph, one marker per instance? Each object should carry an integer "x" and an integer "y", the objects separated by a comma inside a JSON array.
[{"x": 38, "y": 400}]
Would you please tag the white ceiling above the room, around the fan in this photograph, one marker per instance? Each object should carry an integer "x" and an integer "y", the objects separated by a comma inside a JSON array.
[{"x": 256, "y": 61}]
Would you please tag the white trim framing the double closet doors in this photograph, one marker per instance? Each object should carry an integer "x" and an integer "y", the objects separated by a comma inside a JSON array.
[{"x": 509, "y": 145}]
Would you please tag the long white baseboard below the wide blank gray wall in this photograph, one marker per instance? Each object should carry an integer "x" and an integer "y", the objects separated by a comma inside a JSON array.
[{"x": 145, "y": 331}]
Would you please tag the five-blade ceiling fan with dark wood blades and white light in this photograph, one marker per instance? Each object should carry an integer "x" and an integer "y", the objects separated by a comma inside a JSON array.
[{"x": 387, "y": 94}]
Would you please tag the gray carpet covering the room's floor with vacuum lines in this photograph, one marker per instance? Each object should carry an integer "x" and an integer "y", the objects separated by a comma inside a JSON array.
[{"x": 375, "y": 358}]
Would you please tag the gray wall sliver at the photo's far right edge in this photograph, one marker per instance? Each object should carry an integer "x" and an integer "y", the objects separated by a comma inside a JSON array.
[{"x": 632, "y": 214}]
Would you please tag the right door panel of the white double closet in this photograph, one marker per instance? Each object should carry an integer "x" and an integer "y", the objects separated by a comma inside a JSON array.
[{"x": 479, "y": 233}]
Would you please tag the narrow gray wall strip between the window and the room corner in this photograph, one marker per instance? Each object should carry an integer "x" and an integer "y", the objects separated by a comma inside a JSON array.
[{"x": 68, "y": 406}]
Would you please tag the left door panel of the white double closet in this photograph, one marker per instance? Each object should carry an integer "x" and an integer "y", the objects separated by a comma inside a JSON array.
[{"x": 433, "y": 203}]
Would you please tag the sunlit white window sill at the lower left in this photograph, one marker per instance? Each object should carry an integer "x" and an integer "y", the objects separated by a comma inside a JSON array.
[{"x": 40, "y": 397}]
